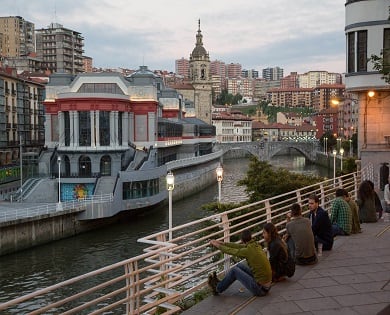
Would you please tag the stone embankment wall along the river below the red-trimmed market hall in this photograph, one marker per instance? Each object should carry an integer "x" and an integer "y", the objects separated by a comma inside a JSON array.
[{"x": 28, "y": 232}]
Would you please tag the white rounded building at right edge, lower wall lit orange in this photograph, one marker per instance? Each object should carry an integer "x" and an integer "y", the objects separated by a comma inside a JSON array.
[{"x": 369, "y": 34}]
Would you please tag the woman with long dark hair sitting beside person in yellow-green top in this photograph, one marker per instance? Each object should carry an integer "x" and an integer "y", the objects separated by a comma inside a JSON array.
[{"x": 278, "y": 252}]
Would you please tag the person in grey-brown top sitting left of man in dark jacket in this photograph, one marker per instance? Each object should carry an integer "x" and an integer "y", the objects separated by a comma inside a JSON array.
[{"x": 299, "y": 237}]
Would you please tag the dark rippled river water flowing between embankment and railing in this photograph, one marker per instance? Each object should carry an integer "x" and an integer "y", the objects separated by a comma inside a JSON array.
[{"x": 39, "y": 267}]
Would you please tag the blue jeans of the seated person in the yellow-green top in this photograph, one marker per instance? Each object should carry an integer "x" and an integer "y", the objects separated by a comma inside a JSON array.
[{"x": 242, "y": 273}]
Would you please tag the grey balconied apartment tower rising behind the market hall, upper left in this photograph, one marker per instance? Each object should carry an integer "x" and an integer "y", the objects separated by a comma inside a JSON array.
[{"x": 60, "y": 49}]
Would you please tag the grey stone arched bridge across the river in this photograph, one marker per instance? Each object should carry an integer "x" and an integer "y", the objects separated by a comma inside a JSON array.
[{"x": 266, "y": 150}]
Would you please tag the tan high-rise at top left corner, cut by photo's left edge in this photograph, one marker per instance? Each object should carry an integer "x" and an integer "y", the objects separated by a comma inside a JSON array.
[{"x": 17, "y": 36}]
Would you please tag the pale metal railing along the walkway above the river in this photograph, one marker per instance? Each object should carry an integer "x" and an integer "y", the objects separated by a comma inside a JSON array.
[{"x": 170, "y": 271}]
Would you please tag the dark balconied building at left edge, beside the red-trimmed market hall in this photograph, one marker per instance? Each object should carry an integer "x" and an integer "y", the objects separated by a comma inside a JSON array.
[{"x": 21, "y": 117}]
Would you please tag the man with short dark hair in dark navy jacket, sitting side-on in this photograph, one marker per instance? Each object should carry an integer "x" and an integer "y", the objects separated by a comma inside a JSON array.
[{"x": 320, "y": 224}]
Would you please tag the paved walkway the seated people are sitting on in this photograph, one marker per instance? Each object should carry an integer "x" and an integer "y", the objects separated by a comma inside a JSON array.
[{"x": 353, "y": 278}]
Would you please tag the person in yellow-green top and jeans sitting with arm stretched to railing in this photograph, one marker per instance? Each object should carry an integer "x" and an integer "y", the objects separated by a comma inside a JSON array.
[{"x": 255, "y": 274}]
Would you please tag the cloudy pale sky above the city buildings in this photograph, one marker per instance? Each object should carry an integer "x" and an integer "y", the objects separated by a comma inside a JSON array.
[{"x": 296, "y": 35}]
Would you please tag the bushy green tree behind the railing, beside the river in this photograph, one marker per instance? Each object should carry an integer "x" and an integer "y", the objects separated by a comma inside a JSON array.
[{"x": 262, "y": 181}]
